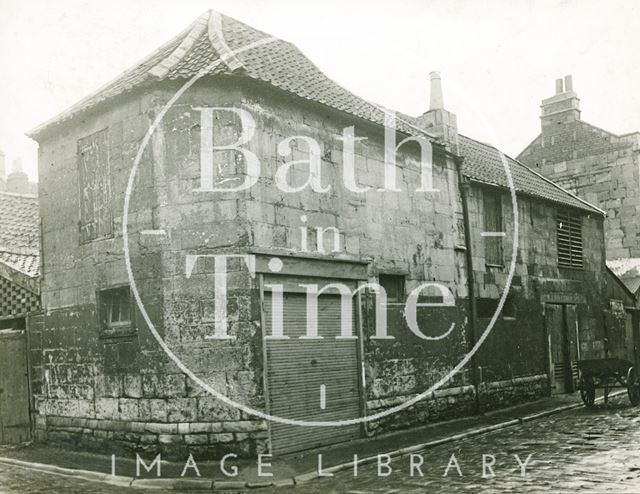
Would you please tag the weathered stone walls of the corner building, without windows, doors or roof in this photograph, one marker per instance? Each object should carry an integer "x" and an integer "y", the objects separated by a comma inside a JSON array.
[{"x": 123, "y": 391}]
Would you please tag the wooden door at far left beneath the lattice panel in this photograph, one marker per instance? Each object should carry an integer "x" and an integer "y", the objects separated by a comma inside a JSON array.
[{"x": 14, "y": 389}]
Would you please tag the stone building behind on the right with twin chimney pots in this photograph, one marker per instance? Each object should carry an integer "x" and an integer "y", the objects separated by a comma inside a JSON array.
[{"x": 598, "y": 166}]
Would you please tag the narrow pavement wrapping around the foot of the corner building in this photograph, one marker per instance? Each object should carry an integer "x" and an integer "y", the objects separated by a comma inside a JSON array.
[{"x": 288, "y": 471}]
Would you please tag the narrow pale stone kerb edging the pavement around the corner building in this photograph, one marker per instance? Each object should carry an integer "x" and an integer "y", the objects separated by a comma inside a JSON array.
[{"x": 209, "y": 484}]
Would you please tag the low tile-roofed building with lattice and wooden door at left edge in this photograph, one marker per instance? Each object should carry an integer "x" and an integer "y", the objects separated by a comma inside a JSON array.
[{"x": 19, "y": 301}]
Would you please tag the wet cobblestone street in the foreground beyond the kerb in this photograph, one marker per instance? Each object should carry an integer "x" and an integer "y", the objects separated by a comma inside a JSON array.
[{"x": 594, "y": 450}]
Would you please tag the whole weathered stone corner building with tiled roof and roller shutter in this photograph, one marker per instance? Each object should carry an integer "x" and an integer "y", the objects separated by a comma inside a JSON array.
[{"x": 101, "y": 379}]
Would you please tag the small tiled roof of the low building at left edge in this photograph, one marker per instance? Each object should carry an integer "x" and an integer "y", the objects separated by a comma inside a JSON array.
[{"x": 20, "y": 232}]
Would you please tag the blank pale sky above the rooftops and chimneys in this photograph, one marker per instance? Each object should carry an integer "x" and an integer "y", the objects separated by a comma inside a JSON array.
[{"x": 498, "y": 58}]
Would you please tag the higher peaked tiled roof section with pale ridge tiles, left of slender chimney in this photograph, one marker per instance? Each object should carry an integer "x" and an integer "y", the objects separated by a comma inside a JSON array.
[{"x": 241, "y": 50}]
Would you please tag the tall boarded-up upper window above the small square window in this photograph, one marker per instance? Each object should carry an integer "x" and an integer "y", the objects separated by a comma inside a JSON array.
[{"x": 95, "y": 187}]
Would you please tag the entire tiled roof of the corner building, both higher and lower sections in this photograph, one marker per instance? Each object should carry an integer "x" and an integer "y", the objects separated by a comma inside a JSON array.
[{"x": 215, "y": 37}]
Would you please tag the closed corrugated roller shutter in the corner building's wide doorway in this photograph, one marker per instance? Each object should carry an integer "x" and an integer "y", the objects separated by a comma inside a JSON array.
[{"x": 297, "y": 368}]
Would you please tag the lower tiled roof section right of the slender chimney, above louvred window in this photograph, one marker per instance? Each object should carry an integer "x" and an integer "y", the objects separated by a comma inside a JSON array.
[{"x": 483, "y": 163}]
